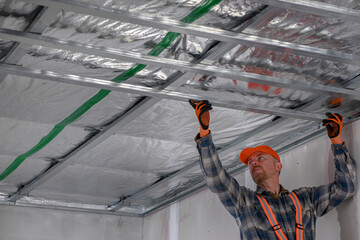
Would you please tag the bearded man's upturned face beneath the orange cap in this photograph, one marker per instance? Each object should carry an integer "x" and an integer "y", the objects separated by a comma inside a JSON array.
[{"x": 263, "y": 166}]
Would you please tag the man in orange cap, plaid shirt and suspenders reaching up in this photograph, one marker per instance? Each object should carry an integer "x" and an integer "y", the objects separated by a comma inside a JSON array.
[{"x": 272, "y": 212}]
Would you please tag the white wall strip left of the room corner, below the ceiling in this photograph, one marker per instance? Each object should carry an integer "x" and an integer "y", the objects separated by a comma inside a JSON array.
[{"x": 20, "y": 223}]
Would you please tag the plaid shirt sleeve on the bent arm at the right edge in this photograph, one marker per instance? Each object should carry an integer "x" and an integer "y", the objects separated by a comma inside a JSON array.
[{"x": 327, "y": 197}]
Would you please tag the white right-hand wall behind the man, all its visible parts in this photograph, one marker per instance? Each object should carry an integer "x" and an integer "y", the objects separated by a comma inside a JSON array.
[{"x": 202, "y": 216}]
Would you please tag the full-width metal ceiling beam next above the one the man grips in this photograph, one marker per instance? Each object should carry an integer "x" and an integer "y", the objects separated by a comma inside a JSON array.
[{"x": 176, "y": 64}]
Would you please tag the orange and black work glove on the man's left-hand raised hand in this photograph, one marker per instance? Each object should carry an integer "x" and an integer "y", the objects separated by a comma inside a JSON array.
[{"x": 202, "y": 109}]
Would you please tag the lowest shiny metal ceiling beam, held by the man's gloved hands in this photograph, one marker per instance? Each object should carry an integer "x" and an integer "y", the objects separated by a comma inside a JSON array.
[{"x": 150, "y": 92}]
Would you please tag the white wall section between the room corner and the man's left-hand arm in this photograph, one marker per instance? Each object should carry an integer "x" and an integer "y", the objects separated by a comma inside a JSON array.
[{"x": 200, "y": 216}]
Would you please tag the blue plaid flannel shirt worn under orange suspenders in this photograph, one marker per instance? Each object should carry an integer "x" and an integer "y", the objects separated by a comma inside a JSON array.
[{"x": 244, "y": 206}]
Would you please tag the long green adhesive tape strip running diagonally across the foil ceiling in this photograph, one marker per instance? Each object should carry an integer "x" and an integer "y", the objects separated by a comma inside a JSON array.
[{"x": 160, "y": 47}]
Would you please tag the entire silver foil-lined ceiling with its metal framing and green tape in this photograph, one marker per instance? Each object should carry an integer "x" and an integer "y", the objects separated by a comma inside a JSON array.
[{"x": 98, "y": 92}]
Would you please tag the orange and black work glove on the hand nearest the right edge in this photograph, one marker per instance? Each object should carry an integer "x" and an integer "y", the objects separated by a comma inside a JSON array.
[{"x": 334, "y": 126}]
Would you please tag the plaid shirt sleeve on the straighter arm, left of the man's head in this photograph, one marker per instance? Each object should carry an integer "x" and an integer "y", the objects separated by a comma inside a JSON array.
[{"x": 217, "y": 179}]
